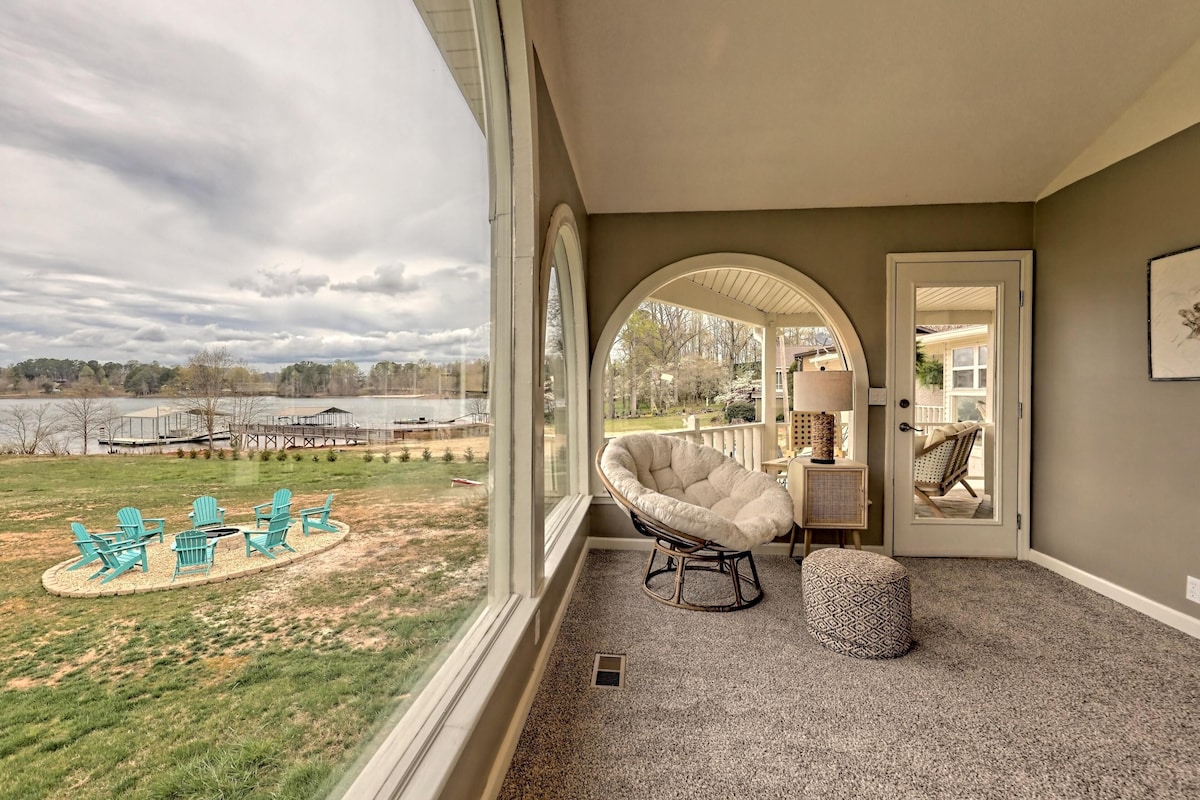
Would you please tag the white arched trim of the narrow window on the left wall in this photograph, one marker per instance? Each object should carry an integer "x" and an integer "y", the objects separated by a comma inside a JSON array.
[{"x": 563, "y": 237}]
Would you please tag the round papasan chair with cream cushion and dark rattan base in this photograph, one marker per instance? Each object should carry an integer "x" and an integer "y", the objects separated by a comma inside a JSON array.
[{"x": 704, "y": 512}]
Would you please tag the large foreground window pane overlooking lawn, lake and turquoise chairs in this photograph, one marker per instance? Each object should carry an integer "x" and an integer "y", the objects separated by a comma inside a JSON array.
[{"x": 244, "y": 249}]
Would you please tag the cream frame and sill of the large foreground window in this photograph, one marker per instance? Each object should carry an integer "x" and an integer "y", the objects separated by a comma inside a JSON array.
[{"x": 417, "y": 749}]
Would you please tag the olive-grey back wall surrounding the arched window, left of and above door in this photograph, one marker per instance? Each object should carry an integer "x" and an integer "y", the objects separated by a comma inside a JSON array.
[{"x": 844, "y": 250}]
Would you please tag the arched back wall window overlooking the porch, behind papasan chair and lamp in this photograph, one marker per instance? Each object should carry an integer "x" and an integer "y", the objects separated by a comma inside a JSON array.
[{"x": 706, "y": 350}]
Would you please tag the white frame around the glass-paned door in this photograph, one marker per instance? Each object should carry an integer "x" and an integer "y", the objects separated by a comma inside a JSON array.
[{"x": 1024, "y": 394}]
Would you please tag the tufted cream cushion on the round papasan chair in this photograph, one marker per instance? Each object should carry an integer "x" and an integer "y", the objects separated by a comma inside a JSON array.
[{"x": 698, "y": 490}]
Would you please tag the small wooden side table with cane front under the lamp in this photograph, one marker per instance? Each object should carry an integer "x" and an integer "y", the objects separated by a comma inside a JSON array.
[{"x": 827, "y": 497}]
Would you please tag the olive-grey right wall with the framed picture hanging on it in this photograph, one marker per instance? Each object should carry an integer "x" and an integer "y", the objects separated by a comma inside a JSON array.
[{"x": 1117, "y": 459}]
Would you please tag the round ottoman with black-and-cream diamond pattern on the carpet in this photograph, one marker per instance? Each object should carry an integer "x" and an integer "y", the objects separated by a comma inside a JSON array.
[{"x": 857, "y": 603}]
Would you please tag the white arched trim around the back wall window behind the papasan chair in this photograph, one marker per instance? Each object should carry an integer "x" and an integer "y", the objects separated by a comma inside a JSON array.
[{"x": 837, "y": 320}]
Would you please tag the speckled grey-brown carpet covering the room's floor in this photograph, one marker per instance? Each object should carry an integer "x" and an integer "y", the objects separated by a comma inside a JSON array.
[{"x": 1022, "y": 685}]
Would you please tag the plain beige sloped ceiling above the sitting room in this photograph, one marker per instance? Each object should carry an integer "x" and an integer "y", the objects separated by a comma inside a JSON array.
[{"x": 715, "y": 105}]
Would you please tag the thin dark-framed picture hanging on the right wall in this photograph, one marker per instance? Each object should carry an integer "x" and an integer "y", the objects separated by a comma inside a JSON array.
[{"x": 1174, "y": 315}]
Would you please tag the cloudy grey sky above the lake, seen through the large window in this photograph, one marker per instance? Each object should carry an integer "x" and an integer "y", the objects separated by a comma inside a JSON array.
[{"x": 289, "y": 179}]
